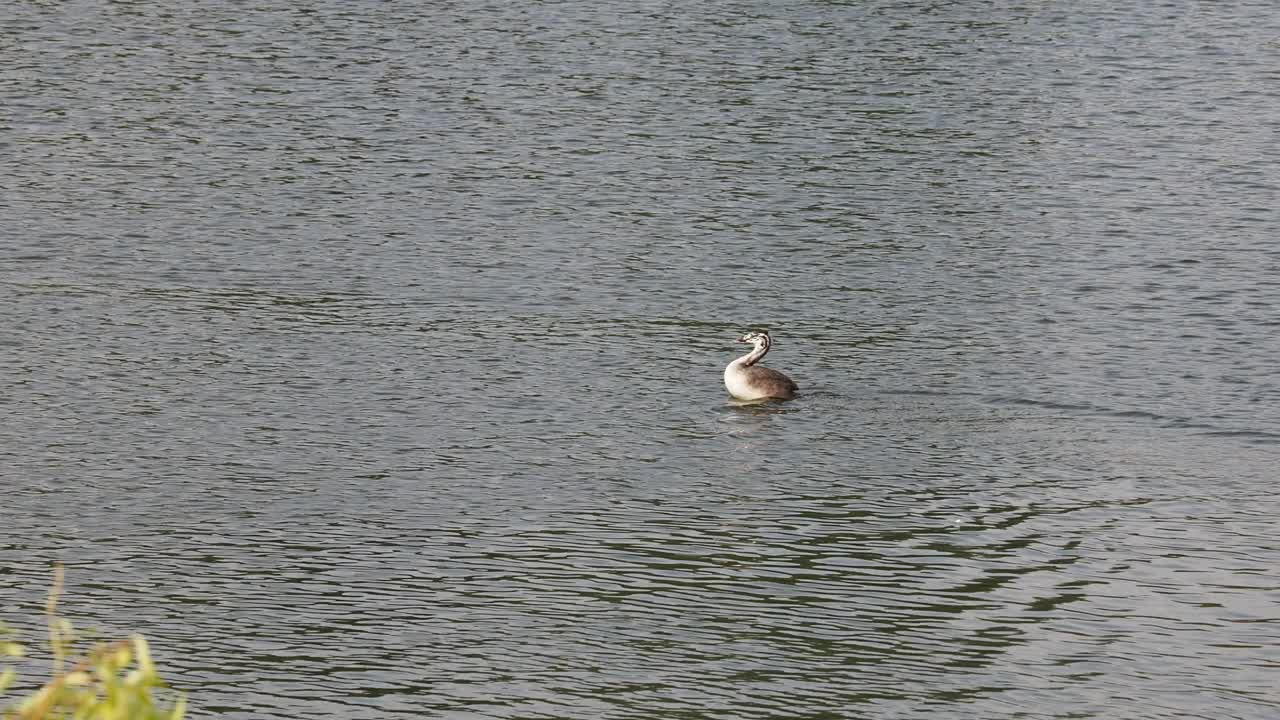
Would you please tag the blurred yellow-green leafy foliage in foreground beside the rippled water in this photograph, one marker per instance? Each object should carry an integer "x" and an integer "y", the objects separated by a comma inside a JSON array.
[{"x": 104, "y": 682}]
